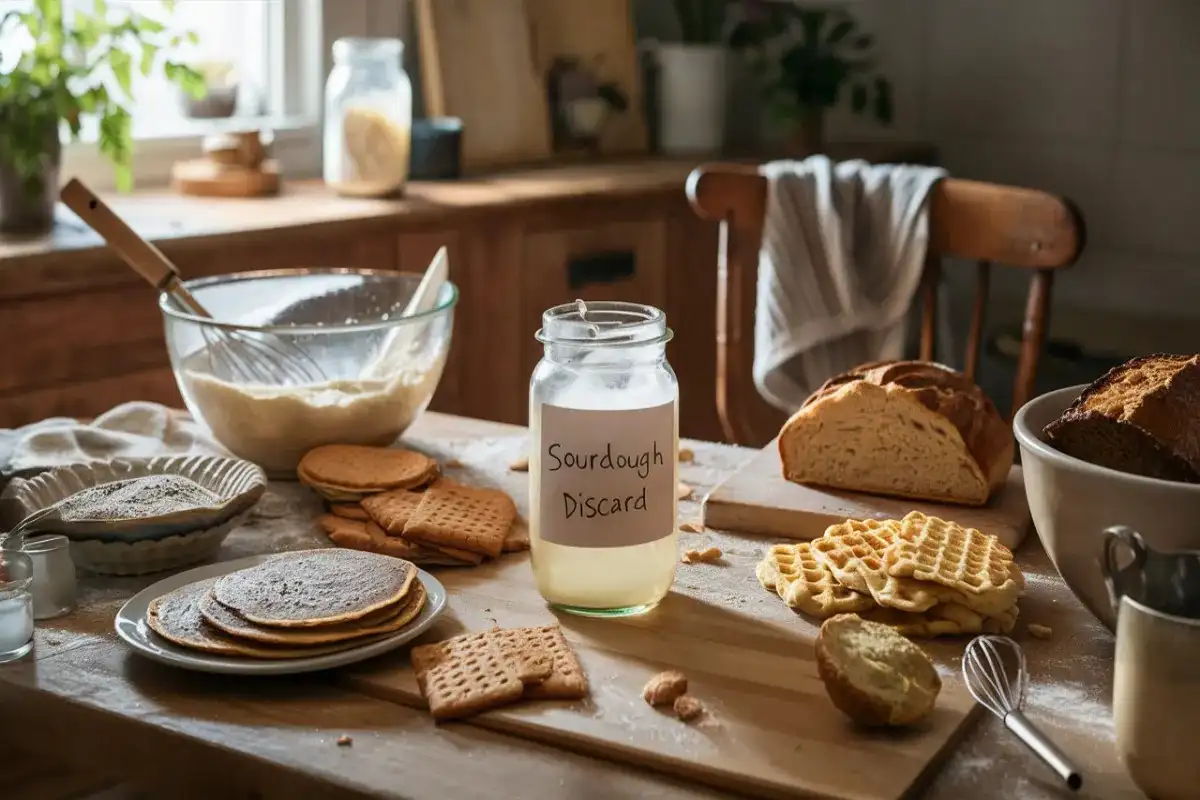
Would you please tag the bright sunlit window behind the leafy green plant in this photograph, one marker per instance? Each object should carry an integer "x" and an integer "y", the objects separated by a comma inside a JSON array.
[{"x": 262, "y": 59}]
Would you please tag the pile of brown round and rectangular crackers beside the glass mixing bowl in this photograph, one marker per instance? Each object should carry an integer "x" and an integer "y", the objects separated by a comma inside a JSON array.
[{"x": 393, "y": 502}]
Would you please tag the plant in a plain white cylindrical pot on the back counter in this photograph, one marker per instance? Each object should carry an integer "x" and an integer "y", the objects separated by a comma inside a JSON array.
[{"x": 693, "y": 80}]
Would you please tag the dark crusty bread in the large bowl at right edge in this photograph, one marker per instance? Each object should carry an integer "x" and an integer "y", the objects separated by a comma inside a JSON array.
[{"x": 1141, "y": 418}]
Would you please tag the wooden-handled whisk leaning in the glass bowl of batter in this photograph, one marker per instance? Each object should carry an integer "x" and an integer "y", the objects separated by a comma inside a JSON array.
[{"x": 235, "y": 356}]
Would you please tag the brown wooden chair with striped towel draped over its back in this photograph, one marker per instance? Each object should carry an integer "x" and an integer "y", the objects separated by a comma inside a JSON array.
[{"x": 982, "y": 222}]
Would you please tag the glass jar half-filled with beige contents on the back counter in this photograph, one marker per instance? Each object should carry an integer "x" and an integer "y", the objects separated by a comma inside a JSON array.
[{"x": 369, "y": 118}]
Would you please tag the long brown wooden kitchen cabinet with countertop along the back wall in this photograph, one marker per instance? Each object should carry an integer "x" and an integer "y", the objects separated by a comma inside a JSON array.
[{"x": 81, "y": 334}]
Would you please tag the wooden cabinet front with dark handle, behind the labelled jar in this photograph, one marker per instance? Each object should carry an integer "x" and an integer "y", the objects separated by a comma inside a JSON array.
[{"x": 610, "y": 261}]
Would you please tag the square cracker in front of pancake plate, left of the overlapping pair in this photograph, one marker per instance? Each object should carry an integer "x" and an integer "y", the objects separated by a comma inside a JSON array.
[{"x": 465, "y": 676}]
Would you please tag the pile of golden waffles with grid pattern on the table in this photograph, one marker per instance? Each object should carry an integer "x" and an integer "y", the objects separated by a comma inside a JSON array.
[{"x": 922, "y": 575}]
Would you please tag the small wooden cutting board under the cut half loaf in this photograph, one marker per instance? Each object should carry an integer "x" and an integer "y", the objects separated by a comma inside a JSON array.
[{"x": 757, "y": 500}]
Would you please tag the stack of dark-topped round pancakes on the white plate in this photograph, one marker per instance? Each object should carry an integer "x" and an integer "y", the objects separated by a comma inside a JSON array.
[{"x": 293, "y": 606}]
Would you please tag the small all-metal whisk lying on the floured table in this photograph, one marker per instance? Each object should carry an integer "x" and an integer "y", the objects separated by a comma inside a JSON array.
[{"x": 995, "y": 687}]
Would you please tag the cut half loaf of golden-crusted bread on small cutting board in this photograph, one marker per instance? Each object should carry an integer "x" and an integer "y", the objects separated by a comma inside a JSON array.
[{"x": 907, "y": 429}]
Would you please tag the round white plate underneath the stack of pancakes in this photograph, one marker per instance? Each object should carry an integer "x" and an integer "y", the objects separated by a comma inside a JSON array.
[{"x": 131, "y": 627}]
